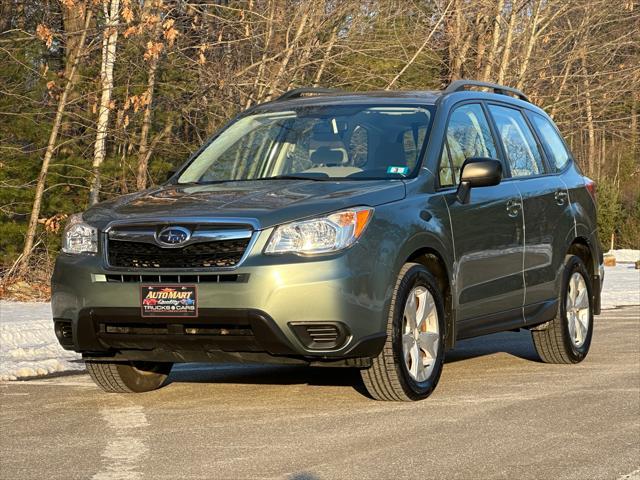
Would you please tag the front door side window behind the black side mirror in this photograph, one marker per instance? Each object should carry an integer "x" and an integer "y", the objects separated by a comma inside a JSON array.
[{"x": 468, "y": 135}]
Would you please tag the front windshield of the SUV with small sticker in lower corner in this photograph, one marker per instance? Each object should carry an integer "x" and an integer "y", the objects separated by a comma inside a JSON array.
[{"x": 320, "y": 142}]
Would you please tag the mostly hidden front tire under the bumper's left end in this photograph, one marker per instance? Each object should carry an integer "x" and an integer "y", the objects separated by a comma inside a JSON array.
[{"x": 128, "y": 377}]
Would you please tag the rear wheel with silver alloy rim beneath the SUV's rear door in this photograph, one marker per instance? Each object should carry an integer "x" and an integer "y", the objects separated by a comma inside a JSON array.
[{"x": 566, "y": 339}]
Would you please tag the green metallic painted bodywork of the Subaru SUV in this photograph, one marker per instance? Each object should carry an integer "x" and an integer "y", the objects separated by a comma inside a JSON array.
[{"x": 481, "y": 247}]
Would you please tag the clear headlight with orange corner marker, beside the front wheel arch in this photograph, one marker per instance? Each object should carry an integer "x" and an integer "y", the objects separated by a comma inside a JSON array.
[{"x": 320, "y": 235}]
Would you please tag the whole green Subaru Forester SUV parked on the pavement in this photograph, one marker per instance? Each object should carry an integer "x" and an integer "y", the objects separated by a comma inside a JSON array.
[{"x": 363, "y": 230}]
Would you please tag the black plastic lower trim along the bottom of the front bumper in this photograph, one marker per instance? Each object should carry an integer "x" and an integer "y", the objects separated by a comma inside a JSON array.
[{"x": 266, "y": 342}]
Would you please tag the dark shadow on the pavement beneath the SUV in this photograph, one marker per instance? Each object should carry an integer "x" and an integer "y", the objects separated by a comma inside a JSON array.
[{"x": 516, "y": 344}]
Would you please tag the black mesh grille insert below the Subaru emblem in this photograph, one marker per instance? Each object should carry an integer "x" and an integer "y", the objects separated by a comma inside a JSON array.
[{"x": 215, "y": 254}]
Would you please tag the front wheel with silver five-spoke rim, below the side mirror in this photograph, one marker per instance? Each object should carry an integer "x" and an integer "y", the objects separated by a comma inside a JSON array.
[{"x": 409, "y": 366}]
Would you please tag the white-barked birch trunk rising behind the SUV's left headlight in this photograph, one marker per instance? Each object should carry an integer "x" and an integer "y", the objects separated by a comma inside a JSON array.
[{"x": 109, "y": 43}]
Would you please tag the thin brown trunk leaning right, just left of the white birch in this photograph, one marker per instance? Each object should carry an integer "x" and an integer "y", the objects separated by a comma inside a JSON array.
[{"x": 22, "y": 263}]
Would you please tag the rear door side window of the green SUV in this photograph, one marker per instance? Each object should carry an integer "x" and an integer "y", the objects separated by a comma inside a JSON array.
[{"x": 520, "y": 145}]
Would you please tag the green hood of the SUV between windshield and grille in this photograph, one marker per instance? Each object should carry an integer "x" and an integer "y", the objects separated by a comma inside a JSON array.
[{"x": 263, "y": 203}]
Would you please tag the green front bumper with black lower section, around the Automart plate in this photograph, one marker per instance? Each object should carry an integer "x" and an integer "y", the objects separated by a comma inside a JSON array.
[{"x": 253, "y": 318}]
